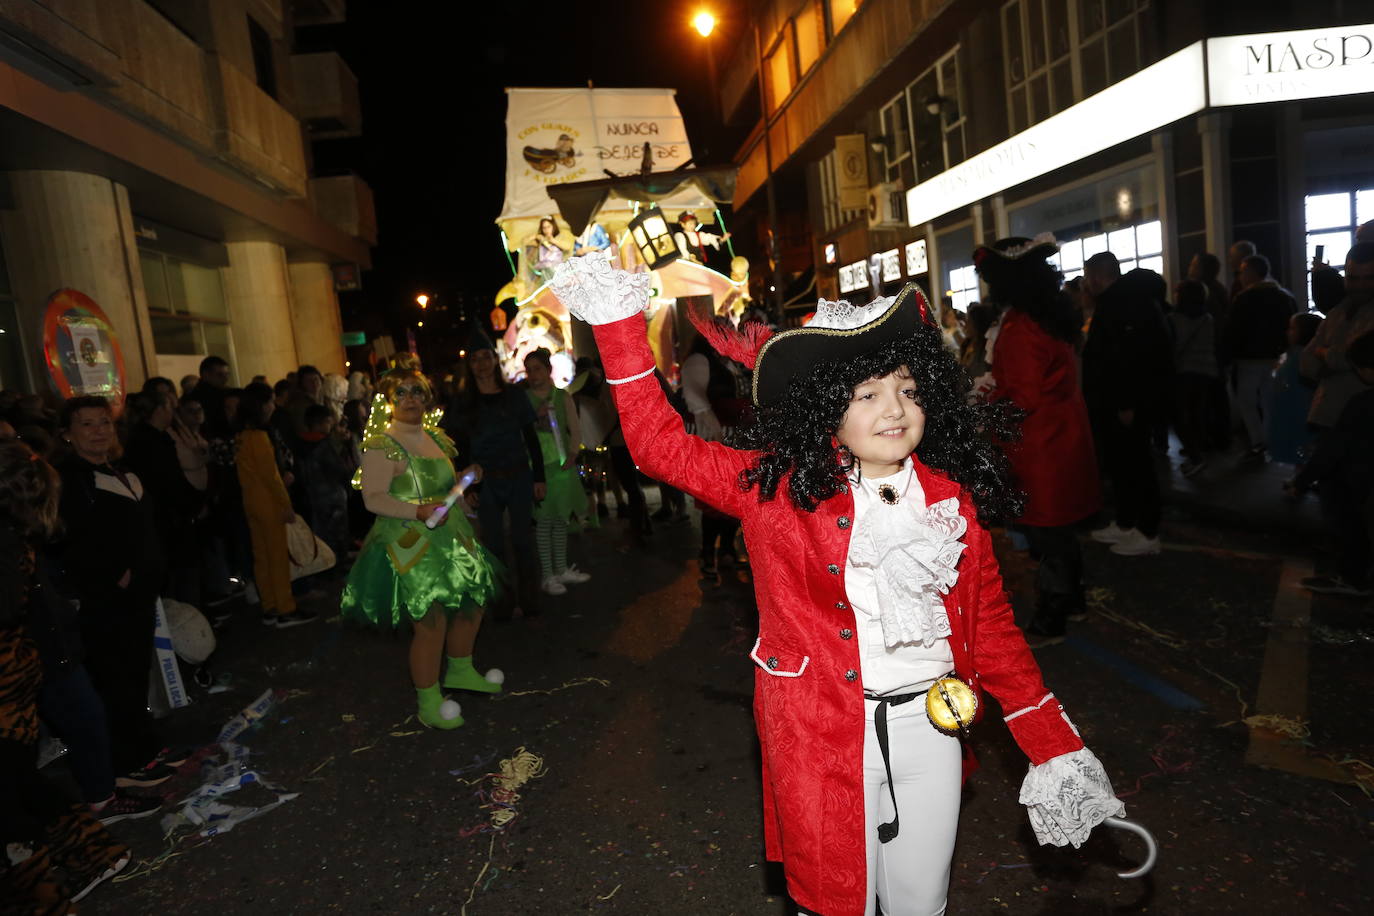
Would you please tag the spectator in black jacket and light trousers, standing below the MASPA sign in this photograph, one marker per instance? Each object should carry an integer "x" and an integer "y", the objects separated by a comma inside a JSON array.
[{"x": 1257, "y": 337}]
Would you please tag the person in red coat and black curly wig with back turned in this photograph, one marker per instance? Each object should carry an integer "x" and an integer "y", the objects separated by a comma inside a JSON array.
[{"x": 1035, "y": 367}]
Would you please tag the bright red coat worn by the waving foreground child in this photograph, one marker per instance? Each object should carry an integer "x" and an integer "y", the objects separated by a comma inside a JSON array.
[{"x": 809, "y": 689}]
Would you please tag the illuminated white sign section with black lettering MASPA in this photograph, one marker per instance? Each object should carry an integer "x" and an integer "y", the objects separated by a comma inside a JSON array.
[{"x": 1283, "y": 67}]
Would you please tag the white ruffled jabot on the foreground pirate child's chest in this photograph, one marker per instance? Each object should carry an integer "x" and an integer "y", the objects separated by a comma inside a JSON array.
[{"x": 914, "y": 558}]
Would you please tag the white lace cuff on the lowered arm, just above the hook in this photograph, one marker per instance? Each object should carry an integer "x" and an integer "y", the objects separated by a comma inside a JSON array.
[{"x": 1067, "y": 797}]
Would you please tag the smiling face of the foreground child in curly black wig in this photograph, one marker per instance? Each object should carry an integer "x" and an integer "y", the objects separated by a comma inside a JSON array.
[{"x": 884, "y": 424}]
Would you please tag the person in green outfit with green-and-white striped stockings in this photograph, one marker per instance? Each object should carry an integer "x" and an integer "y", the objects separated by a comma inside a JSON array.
[{"x": 560, "y": 437}]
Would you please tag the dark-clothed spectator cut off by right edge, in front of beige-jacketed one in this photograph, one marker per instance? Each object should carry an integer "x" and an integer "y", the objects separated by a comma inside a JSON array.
[{"x": 1344, "y": 465}]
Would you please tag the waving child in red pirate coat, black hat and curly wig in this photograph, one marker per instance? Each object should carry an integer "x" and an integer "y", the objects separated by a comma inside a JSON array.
[{"x": 881, "y": 610}]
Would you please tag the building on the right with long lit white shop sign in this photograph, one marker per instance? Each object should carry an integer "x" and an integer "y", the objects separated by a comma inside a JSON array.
[{"x": 1152, "y": 128}]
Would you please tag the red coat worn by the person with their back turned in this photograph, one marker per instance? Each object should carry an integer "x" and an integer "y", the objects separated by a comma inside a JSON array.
[{"x": 1055, "y": 461}]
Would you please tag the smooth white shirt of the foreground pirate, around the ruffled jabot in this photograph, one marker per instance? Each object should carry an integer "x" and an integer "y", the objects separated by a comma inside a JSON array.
[{"x": 910, "y": 667}]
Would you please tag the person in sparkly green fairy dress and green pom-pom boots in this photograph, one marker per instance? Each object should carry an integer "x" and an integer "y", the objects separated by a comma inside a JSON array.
[{"x": 438, "y": 579}]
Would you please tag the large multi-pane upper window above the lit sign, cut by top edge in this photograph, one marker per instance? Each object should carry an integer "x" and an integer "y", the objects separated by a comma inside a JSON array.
[{"x": 1061, "y": 51}]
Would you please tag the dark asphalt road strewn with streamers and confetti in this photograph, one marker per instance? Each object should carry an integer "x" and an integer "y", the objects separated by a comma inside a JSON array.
[{"x": 651, "y": 796}]
